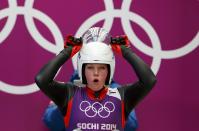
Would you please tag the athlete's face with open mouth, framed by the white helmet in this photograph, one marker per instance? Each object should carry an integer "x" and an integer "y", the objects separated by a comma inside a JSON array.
[{"x": 96, "y": 75}]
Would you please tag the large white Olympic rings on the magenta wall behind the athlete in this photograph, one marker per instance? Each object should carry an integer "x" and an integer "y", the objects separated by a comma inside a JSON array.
[{"x": 108, "y": 15}]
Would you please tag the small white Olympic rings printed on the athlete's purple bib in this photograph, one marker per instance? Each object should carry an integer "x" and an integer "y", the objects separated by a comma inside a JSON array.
[{"x": 96, "y": 108}]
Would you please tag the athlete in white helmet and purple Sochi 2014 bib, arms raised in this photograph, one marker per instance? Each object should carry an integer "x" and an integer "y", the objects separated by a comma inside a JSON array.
[{"x": 95, "y": 106}]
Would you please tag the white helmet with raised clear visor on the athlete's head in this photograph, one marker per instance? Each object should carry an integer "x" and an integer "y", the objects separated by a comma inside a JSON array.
[{"x": 96, "y": 49}]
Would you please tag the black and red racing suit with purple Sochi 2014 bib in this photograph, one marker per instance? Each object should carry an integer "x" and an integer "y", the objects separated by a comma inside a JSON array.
[{"x": 106, "y": 109}]
